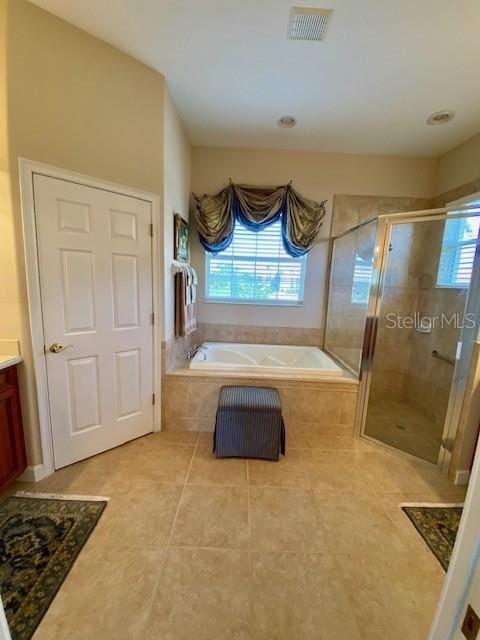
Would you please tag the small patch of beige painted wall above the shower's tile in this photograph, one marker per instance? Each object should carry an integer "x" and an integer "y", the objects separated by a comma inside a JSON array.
[{"x": 458, "y": 166}]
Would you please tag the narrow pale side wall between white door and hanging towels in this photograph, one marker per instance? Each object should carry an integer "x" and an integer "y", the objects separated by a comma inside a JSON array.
[{"x": 177, "y": 164}]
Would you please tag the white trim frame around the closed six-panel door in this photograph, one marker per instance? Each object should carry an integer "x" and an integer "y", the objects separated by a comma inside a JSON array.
[{"x": 27, "y": 170}]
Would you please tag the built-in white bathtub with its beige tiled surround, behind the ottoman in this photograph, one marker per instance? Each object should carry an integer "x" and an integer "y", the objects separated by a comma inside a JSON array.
[{"x": 316, "y": 393}]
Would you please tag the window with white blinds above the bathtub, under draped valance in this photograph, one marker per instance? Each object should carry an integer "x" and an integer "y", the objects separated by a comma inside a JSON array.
[{"x": 255, "y": 268}]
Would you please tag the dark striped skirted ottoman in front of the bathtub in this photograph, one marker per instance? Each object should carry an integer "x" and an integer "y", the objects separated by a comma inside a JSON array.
[{"x": 249, "y": 423}]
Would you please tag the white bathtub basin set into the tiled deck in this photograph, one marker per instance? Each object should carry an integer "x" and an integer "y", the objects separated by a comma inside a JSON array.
[{"x": 261, "y": 359}]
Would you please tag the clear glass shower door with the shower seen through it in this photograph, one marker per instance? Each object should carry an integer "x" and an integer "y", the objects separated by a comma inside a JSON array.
[{"x": 420, "y": 314}]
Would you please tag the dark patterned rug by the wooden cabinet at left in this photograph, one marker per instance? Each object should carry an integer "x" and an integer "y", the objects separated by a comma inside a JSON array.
[{"x": 40, "y": 539}]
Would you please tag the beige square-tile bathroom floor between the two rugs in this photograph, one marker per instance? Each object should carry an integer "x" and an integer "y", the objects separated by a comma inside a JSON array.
[{"x": 313, "y": 547}]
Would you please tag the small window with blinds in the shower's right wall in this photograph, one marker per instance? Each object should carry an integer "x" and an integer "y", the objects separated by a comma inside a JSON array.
[{"x": 458, "y": 252}]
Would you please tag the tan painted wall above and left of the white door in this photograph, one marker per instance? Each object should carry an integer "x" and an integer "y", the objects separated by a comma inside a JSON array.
[{"x": 77, "y": 103}]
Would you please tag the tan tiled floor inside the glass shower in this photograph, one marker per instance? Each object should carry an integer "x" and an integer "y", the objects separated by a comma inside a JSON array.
[{"x": 400, "y": 425}]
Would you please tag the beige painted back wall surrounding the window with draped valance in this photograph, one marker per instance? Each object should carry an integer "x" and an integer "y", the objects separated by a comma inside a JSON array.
[{"x": 318, "y": 176}]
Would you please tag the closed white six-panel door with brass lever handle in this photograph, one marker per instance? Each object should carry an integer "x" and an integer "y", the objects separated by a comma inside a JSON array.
[{"x": 95, "y": 264}]
